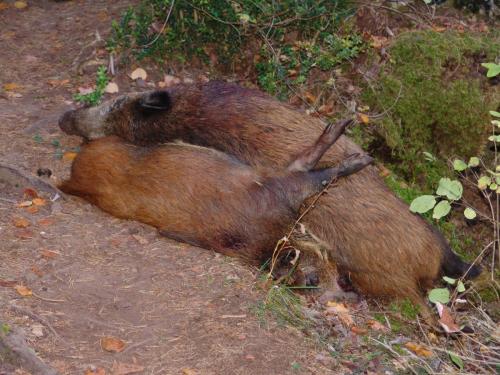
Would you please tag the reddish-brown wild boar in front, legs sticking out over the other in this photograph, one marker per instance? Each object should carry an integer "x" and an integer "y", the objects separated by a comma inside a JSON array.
[{"x": 202, "y": 196}]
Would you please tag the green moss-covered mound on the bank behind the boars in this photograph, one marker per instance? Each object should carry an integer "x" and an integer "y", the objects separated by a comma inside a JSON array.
[{"x": 436, "y": 99}]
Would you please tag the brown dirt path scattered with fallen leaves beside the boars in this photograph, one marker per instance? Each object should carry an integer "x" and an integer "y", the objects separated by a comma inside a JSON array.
[{"x": 180, "y": 310}]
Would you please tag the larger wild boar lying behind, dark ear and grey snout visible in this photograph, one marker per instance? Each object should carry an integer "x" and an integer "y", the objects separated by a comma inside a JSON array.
[{"x": 370, "y": 233}]
